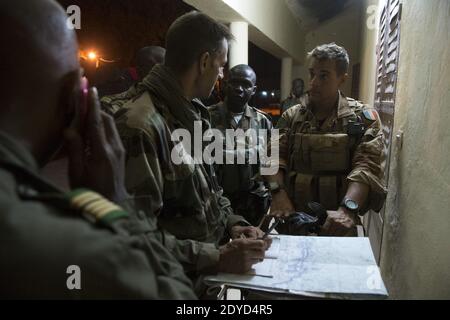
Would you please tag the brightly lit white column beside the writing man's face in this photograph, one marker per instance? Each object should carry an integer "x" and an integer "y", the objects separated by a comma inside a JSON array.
[{"x": 239, "y": 47}]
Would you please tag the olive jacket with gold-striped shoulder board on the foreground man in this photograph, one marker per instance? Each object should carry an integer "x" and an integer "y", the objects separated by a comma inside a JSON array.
[{"x": 43, "y": 231}]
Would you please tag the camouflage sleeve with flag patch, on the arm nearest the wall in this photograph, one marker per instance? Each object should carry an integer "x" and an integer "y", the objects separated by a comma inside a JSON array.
[{"x": 367, "y": 166}]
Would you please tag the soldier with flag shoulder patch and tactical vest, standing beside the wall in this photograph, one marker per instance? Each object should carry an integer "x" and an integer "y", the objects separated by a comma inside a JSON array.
[{"x": 330, "y": 149}]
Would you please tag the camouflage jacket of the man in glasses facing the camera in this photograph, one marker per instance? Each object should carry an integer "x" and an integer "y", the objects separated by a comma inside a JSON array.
[{"x": 236, "y": 178}]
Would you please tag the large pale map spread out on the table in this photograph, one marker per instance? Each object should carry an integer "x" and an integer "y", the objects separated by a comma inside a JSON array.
[{"x": 324, "y": 266}]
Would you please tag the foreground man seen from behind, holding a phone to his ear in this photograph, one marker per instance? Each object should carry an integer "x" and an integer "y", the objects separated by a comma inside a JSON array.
[{"x": 44, "y": 232}]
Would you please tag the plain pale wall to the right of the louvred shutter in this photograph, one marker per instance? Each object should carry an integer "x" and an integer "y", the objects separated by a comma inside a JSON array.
[{"x": 415, "y": 256}]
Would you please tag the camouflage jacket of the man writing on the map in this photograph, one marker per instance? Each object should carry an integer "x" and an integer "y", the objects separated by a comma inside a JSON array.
[{"x": 185, "y": 197}]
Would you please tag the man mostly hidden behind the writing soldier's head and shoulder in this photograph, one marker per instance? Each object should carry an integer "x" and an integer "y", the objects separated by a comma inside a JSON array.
[{"x": 146, "y": 58}]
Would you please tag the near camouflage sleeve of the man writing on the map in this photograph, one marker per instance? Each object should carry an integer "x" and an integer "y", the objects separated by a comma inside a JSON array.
[{"x": 144, "y": 178}]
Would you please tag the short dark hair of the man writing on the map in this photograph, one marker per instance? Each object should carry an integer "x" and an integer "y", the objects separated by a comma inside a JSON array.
[{"x": 191, "y": 35}]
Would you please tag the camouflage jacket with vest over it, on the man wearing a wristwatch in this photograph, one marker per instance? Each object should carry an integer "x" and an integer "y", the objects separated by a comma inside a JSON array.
[{"x": 365, "y": 160}]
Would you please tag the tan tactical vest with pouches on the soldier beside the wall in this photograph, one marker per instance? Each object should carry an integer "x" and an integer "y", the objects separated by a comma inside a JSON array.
[{"x": 319, "y": 161}]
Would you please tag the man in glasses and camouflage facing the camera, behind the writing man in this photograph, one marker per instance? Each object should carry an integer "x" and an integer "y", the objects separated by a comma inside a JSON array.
[{"x": 242, "y": 183}]
